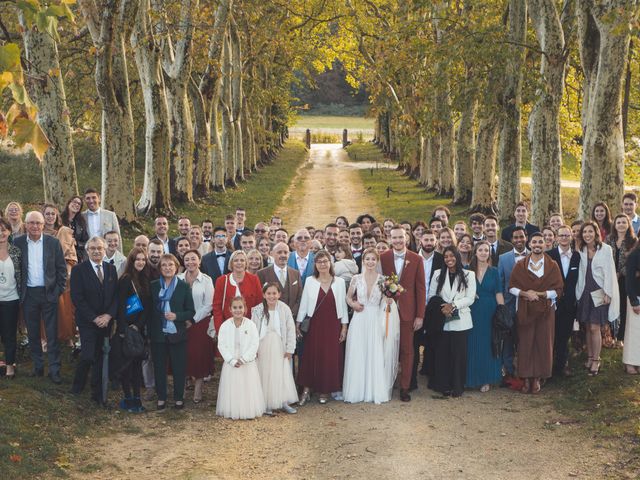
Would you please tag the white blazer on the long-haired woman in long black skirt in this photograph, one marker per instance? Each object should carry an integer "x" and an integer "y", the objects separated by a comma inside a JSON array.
[{"x": 462, "y": 299}]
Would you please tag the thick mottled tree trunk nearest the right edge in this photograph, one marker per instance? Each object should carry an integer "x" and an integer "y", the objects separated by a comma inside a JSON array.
[{"x": 604, "y": 29}]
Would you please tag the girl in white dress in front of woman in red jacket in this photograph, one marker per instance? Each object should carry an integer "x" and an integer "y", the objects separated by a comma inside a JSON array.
[{"x": 240, "y": 392}]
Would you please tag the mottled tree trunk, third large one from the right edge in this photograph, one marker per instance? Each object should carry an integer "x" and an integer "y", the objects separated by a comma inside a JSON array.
[{"x": 510, "y": 143}]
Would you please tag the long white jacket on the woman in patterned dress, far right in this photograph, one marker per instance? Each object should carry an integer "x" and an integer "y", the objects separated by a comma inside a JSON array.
[{"x": 603, "y": 269}]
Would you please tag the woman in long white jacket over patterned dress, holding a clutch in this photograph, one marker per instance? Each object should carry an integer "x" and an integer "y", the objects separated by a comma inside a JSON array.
[{"x": 596, "y": 290}]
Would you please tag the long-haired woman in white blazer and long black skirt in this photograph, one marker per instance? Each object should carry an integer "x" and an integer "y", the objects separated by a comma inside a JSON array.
[{"x": 457, "y": 288}]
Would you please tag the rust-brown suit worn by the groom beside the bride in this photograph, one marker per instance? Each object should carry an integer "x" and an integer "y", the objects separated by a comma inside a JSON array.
[{"x": 411, "y": 305}]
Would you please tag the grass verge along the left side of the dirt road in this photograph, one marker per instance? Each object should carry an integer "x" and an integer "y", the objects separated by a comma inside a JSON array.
[{"x": 40, "y": 420}]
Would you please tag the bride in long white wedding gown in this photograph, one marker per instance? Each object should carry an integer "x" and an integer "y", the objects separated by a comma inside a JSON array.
[{"x": 371, "y": 360}]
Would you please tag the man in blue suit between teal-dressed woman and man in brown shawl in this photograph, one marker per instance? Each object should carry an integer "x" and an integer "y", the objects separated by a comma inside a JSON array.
[{"x": 505, "y": 266}]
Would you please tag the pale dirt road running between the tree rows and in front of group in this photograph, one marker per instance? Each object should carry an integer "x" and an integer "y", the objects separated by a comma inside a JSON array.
[{"x": 497, "y": 435}]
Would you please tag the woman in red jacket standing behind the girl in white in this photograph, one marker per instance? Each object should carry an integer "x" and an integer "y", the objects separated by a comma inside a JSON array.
[{"x": 237, "y": 283}]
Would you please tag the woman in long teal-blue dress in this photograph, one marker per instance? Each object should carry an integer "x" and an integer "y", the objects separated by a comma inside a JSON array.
[{"x": 483, "y": 369}]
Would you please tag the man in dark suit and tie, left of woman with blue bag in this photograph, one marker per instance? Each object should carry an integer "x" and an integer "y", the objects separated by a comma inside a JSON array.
[{"x": 94, "y": 287}]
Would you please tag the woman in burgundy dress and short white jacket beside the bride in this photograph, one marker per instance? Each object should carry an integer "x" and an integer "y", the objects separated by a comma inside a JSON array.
[{"x": 324, "y": 300}]
